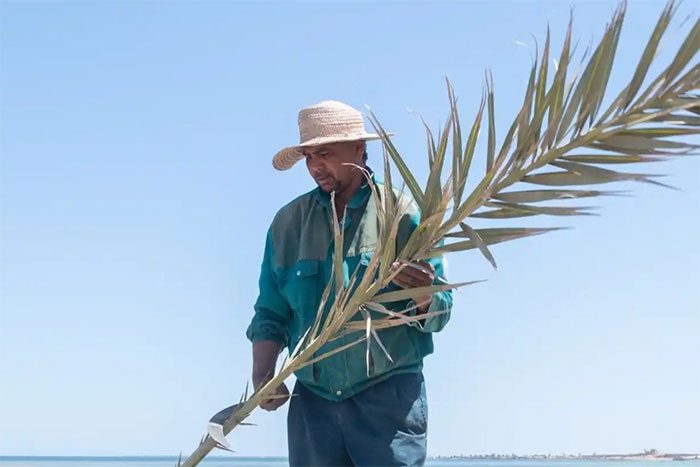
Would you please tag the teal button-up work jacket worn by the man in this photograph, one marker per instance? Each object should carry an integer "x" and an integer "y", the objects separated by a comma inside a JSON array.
[{"x": 296, "y": 266}]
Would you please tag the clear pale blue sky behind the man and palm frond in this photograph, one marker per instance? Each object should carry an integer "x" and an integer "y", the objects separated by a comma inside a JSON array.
[{"x": 136, "y": 188}]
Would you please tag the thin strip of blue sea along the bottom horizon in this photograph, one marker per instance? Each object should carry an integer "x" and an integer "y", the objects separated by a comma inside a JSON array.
[{"x": 151, "y": 461}]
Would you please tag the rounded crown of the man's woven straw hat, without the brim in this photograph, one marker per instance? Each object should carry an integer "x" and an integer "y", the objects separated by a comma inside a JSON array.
[{"x": 329, "y": 119}]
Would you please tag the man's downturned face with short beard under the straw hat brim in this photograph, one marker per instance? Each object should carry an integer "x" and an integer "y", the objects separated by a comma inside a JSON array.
[{"x": 326, "y": 164}]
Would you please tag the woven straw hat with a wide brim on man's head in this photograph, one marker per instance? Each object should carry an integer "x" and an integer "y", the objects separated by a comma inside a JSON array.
[{"x": 324, "y": 123}]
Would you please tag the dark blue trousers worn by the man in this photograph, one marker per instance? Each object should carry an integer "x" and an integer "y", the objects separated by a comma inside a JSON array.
[{"x": 384, "y": 425}]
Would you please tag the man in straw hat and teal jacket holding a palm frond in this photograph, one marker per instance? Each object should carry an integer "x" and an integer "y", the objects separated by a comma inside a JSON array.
[{"x": 343, "y": 412}]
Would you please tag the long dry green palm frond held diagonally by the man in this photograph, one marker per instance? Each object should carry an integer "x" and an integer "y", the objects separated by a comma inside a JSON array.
[{"x": 559, "y": 138}]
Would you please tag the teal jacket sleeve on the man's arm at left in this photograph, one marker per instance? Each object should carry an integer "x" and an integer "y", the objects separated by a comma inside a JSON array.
[{"x": 272, "y": 311}]
